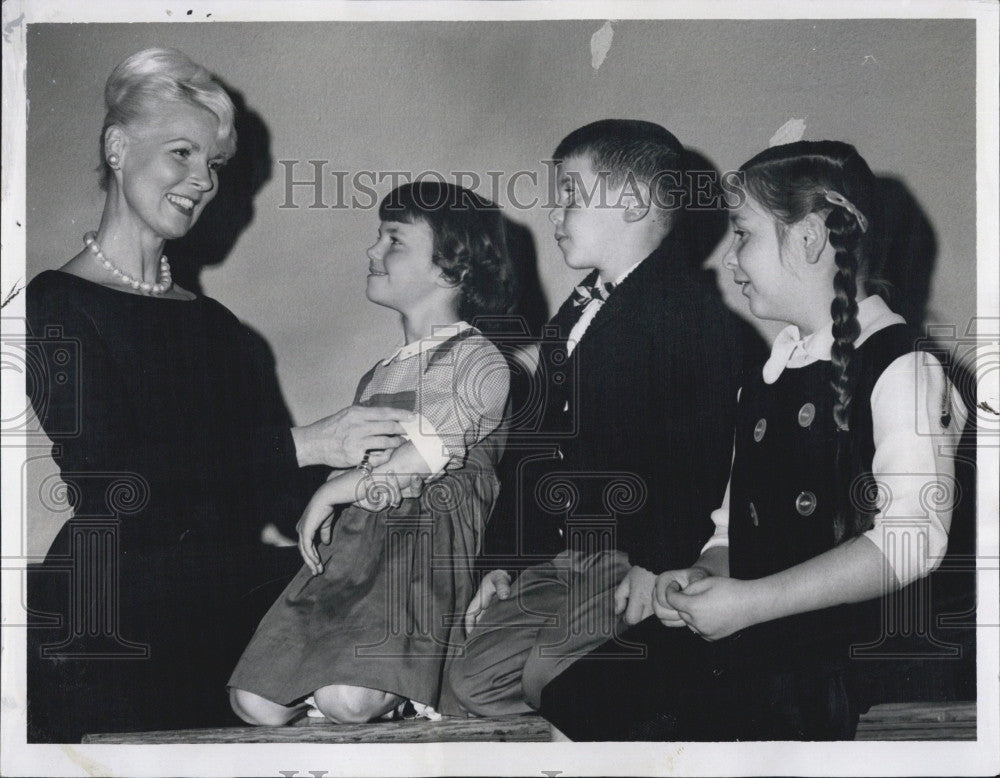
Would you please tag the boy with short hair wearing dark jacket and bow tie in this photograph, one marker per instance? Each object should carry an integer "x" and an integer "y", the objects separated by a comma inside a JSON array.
[{"x": 637, "y": 427}]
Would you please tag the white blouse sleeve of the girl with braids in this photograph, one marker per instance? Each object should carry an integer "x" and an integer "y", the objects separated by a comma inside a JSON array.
[{"x": 913, "y": 465}]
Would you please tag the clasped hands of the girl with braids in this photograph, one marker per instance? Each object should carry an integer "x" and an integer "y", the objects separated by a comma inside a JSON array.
[{"x": 714, "y": 607}]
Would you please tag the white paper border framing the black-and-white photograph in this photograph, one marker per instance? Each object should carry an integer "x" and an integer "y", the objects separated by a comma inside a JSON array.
[{"x": 856, "y": 758}]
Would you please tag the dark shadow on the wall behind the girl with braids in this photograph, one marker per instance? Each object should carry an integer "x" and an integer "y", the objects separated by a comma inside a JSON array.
[{"x": 931, "y": 658}]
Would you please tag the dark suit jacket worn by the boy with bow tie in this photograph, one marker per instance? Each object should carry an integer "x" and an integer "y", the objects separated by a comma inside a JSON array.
[{"x": 634, "y": 443}]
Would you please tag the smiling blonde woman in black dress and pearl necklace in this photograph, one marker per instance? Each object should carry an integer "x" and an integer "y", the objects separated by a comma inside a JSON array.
[{"x": 165, "y": 439}]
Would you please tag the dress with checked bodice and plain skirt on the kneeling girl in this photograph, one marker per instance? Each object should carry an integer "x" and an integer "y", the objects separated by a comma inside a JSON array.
[{"x": 396, "y": 582}]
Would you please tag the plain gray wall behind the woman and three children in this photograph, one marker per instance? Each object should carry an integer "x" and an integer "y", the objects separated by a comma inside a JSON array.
[{"x": 497, "y": 96}]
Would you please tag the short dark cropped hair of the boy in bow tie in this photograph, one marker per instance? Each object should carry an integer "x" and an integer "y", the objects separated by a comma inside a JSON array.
[{"x": 624, "y": 148}]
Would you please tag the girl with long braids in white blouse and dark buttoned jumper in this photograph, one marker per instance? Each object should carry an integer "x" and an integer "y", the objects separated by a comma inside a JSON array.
[{"x": 837, "y": 447}]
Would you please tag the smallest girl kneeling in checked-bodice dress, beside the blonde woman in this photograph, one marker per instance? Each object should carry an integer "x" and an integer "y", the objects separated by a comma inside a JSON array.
[{"x": 366, "y": 623}]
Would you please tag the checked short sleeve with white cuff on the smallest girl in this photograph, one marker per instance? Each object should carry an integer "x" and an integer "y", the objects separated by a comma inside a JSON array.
[{"x": 461, "y": 397}]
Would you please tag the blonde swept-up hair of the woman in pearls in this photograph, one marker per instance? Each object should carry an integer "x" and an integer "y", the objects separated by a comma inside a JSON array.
[{"x": 159, "y": 75}]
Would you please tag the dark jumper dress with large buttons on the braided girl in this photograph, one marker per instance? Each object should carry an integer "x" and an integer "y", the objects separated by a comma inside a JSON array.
[{"x": 784, "y": 679}]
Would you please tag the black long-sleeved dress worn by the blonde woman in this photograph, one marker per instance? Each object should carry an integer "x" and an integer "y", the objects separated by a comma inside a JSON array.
[{"x": 175, "y": 447}]
